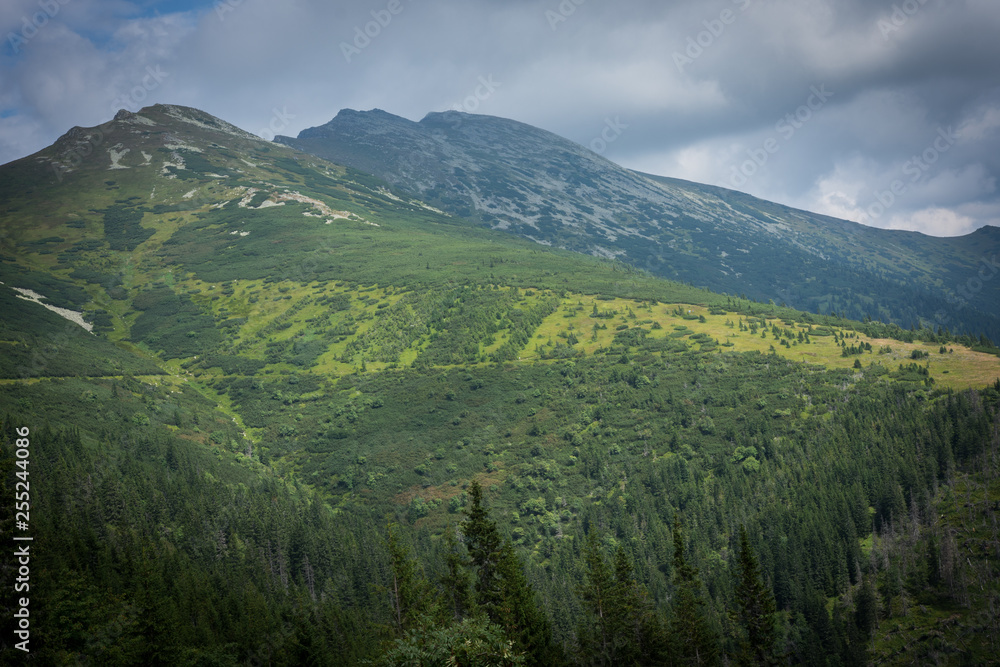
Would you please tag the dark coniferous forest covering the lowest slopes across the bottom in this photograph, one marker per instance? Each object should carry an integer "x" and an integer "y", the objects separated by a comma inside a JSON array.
[{"x": 157, "y": 551}]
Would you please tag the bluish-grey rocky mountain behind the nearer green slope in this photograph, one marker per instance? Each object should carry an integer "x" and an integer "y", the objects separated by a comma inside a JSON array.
[{"x": 517, "y": 178}]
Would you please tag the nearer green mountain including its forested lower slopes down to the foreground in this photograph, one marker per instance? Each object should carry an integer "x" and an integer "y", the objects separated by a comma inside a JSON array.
[{"x": 263, "y": 393}]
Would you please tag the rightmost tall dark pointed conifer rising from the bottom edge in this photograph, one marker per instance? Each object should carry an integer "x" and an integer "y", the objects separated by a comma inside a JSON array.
[{"x": 756, "y": 610}]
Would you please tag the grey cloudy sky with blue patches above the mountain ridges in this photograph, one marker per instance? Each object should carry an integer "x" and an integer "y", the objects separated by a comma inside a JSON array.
[{"x": 882, "y": 111}]
